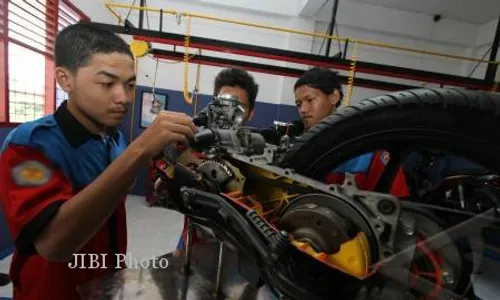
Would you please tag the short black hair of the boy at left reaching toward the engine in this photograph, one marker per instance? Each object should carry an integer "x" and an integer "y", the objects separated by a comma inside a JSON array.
[{"x": 76, "y": 44}]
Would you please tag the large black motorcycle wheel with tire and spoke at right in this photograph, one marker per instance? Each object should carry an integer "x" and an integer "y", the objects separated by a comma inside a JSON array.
[{"x": 460, "y": 122}]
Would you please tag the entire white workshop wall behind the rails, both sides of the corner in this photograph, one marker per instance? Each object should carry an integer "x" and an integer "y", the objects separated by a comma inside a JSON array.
[{"x": 354, "y": 19}]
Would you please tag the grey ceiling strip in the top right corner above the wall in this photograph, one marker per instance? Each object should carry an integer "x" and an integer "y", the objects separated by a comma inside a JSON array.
[{"x": 470, "y": 11}]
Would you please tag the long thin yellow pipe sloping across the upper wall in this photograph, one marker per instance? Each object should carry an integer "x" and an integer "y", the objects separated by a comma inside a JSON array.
[{"x": 251, "y": 24}]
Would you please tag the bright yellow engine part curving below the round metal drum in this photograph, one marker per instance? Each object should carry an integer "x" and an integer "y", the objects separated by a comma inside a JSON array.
[{"x": 353, "y": 258}]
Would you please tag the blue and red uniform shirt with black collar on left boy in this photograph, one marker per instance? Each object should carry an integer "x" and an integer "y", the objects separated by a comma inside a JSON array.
[{"x": 43, "y": 164}]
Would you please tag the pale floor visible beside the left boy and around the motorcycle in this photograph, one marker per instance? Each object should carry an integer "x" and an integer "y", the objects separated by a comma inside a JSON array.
[{"x": 154, "y": 231}]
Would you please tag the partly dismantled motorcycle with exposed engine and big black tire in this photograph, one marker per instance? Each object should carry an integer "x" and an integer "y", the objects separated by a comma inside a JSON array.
[{"x": 314, "y": 240}]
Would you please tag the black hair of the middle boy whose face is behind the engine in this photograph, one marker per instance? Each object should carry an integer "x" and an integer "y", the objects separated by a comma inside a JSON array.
[{"x": 237, "y": 77}]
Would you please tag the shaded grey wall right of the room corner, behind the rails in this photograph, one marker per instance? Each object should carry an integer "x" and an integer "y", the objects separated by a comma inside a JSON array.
[{"x": 414, "y": 30}]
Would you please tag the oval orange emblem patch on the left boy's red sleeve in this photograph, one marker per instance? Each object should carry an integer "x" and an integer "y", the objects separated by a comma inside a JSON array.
[{"x": 31, "y": 173}]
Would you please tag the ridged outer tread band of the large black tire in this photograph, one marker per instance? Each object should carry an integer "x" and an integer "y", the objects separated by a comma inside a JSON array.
[{"x": 472, "y": 113}]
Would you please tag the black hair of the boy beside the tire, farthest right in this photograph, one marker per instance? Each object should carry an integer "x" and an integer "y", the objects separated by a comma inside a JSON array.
[{"x": 322, "y": 79}]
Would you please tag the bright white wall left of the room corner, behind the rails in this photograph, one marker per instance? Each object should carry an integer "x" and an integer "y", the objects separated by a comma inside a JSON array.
[{"x": 272, "y": 89}]
